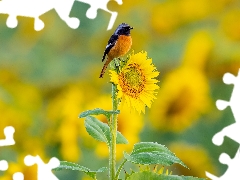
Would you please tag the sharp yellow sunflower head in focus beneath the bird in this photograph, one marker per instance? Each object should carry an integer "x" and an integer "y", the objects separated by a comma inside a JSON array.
[{"x": 135, "y": 82}]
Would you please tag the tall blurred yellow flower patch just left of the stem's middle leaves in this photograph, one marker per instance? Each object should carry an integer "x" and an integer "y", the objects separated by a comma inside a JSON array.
[{"x": 63, "y": 110}]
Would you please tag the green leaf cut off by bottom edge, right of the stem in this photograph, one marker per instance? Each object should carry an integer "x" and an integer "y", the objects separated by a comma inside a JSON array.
[{"x": 145, "y": 175}]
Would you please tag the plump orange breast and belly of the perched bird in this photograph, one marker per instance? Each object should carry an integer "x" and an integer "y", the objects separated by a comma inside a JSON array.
[{"x": 121, "y": 47}]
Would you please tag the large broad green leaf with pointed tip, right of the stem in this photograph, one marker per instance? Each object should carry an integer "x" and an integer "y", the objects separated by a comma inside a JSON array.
[{"x": 152, "y": 153}]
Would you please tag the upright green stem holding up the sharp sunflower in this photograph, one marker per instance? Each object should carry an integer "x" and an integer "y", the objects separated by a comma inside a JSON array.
[{"x": 113, "y": 129}]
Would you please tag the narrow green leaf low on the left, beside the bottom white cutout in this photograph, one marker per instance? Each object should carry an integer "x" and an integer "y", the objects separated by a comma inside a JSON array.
[{"x": 77, "y": 167}]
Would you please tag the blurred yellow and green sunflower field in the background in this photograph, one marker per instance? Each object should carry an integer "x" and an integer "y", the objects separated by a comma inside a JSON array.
[{"x": 47, "y": 78}]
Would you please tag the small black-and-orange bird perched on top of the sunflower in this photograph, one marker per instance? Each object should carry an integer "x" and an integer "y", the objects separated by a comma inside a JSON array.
[{"x": 118, "y": 45}]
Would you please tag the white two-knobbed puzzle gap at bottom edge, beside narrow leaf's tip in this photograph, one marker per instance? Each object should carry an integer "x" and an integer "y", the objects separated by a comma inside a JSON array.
[{"x": 44, "y": 170}]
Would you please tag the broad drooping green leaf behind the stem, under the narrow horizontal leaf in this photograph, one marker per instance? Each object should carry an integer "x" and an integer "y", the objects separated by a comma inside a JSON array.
[{"x": 101, "y": 131}]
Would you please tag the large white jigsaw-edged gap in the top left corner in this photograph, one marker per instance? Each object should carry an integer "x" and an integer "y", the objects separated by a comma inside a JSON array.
[{"x": 36, "y": 8}]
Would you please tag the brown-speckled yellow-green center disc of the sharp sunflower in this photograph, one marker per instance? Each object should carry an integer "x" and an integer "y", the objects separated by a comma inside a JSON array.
[{"x": 132, "y": 81}]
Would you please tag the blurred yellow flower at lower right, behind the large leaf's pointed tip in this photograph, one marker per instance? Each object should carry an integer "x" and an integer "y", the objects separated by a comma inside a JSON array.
[{"x": 195, "y": 157}]
